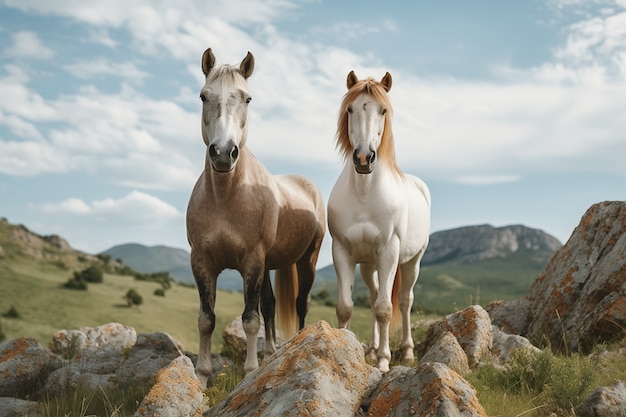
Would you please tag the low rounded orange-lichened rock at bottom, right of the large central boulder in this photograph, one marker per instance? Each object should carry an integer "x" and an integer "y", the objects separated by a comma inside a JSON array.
[{"x": 429, "y": 390}]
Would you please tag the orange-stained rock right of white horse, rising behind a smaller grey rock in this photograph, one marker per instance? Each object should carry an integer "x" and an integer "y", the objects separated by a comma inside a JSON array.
[{"x": 472, "y": 329}]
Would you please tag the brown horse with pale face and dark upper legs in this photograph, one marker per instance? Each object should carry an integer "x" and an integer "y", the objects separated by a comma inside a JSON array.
[{"x": 241, "y": 217}]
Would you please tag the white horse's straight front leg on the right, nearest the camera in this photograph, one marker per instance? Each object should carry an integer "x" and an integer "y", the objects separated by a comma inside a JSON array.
[{"x": 386, "y": 266}]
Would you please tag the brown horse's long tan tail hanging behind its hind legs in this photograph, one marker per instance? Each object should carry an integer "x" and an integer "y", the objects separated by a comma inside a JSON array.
[{"x": 286, "y": 291}]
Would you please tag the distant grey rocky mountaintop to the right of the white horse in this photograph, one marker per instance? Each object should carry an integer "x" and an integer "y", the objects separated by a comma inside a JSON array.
[{"x": 476, "y": 243}]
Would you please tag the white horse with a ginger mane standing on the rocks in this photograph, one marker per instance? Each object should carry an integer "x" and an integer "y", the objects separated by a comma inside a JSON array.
[{"x": 378, "y": 217}]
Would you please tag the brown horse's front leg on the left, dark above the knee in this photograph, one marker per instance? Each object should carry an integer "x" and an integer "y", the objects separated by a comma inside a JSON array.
[{"x": 206, "y": 284}]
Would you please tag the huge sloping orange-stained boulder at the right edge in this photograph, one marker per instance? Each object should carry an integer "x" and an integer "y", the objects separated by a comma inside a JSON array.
[{"x": 579, "y": 298}]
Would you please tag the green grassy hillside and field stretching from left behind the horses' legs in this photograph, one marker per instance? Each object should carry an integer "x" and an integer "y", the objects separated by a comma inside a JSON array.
[{"x": 33, "y": 269}]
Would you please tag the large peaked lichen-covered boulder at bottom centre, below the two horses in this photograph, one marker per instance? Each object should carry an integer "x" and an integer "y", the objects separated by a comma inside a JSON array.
[{"x": 320, "y": 371}]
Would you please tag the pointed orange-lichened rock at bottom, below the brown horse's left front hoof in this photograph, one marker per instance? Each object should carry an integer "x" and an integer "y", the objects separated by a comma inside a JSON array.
[{"x": 177, "y": 392}]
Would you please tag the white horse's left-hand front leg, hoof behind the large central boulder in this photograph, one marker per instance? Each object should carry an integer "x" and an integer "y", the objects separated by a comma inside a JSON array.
[{"x": 344, "y": 267}]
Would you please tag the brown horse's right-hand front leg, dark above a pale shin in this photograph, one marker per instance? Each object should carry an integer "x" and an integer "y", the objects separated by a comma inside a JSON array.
[{"x": 252, "y": 283}]
